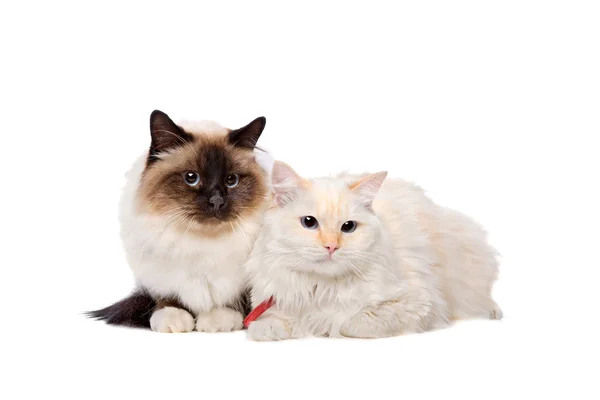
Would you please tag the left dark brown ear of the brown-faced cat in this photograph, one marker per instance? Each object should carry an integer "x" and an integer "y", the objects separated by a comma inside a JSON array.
[{"x": 166, "y": 135}]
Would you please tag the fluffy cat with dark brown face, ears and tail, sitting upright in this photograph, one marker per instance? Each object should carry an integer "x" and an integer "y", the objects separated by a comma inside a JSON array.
[{"x": 190, "y": 211}]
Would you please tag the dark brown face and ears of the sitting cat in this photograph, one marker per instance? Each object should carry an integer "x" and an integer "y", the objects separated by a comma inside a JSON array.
[{"x": 202, "y": 180}]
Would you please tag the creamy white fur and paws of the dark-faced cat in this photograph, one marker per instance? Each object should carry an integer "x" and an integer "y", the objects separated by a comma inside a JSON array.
[{"x": 206, "y": 273}]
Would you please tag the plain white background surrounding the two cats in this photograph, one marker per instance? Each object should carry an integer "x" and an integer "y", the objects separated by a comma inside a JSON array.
[{"x": 493, "y": 107}]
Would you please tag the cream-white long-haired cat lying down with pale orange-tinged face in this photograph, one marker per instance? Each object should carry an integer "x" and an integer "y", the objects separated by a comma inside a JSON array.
[{"x": 352, "y": 256}]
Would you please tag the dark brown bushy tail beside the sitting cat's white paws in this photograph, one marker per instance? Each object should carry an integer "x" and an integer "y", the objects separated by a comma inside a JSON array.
[{"x": 134, "y": 311}]
